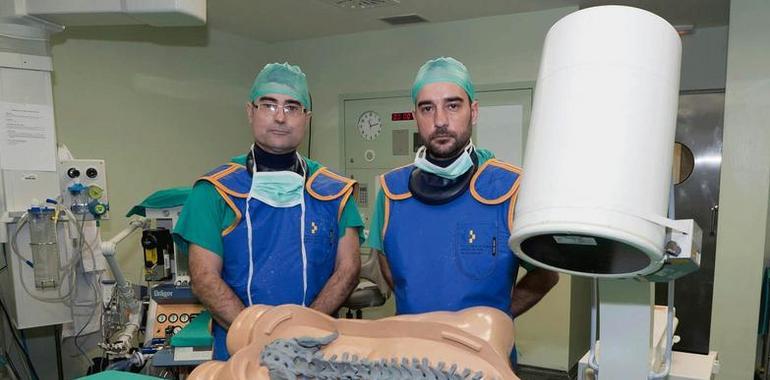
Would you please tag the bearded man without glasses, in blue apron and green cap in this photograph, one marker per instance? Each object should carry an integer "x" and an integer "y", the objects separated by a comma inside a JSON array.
[{"x": 441, "y": 225}]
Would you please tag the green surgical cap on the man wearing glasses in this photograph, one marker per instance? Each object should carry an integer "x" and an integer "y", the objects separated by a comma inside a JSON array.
[{"x": 281, "y": 78}]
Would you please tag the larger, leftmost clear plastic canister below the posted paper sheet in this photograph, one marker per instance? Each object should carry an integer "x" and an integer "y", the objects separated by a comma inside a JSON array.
[{"x": 45, "y": 249}]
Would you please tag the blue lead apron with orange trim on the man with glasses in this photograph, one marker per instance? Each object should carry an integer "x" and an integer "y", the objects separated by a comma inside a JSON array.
[{"x": 276, "y": 243}]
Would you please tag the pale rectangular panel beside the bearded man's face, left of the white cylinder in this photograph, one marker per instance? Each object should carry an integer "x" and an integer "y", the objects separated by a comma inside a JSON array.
[{"x": 499, "y": 129}]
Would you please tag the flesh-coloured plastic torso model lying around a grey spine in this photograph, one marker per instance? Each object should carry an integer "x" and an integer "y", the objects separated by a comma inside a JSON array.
[{"x": 476, "y": 341}]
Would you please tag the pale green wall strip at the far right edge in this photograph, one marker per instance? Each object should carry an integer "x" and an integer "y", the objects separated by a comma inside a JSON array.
[{"x": 742, "y": 249}]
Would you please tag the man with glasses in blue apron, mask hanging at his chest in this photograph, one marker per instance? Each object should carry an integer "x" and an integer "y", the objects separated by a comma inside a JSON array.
[{"x": 271, "y": 227}]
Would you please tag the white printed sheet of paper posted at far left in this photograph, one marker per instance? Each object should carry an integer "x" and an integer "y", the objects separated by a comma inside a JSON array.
[{"x": 27, "y": 137}]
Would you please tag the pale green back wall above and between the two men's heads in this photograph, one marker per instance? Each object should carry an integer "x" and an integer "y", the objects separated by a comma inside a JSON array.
[{"x": 495, "y": 49}]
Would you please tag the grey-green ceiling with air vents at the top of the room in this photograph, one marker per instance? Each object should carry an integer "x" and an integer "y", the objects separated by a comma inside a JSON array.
[{"x": 275, "y": 21}]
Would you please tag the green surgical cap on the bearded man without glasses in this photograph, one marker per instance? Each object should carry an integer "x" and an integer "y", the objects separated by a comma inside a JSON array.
[{"x": 443, "y": 69}]
